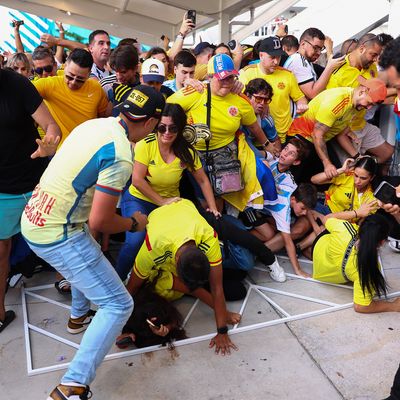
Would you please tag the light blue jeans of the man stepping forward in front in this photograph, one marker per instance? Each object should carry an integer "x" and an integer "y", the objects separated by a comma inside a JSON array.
[{"x": 93, "y": 279}]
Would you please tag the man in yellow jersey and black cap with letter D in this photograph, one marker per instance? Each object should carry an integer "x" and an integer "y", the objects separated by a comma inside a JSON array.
[{"x": 283, "y": 82}]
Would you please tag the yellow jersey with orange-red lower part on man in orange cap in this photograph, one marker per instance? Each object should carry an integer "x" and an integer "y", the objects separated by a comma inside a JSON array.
[{"x": 333, "y": 108}]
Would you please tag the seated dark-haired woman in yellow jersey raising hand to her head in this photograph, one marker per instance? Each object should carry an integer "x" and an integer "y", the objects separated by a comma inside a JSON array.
[{"x": 350, "y": 195}]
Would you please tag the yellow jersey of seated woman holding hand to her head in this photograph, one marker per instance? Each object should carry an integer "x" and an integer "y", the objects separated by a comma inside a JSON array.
[{"x": 342, "y": 195}]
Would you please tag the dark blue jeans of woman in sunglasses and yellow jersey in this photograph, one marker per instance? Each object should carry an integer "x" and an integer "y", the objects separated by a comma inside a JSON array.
[{"x": 133, "y": 241}]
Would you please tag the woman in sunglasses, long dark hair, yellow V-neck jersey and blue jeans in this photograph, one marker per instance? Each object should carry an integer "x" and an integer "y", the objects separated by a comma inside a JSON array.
[{"x": 160, "y": 160}]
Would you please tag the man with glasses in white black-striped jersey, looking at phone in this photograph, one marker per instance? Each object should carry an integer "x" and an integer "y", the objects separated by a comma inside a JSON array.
[{"x": 301, "y": 63}]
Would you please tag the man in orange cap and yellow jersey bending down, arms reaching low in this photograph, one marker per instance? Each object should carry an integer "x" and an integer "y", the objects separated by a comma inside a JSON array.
[{"x": 328, "y": 115}]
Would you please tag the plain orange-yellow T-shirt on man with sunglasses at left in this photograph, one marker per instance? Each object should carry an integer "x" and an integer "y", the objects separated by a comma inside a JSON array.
[{"x": 69, "y": 107}]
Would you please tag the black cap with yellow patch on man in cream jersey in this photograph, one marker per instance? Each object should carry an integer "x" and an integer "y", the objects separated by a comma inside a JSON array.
[{"x": 141, "y": 102}]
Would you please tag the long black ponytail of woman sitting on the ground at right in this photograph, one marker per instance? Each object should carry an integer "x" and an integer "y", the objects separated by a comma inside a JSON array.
[{"x": 373, "y": 230}]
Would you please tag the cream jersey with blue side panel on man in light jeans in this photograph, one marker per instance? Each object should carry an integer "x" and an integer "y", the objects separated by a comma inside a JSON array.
[{"x": 96, "y": 156}]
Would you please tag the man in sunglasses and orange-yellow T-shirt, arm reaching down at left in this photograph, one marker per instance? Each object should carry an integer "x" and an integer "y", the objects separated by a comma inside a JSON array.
[{"x": 74, "y": 98}]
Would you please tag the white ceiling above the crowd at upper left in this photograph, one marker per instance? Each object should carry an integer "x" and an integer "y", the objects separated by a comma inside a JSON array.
[{"x": 146, "y": 20}]
